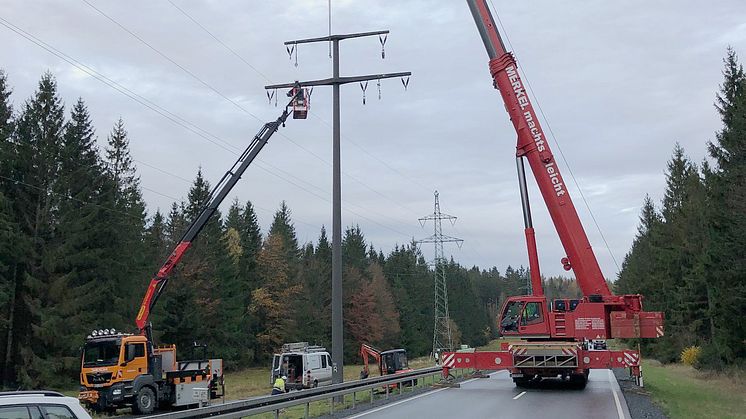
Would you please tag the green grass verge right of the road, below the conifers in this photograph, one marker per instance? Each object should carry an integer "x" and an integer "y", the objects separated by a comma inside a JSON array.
[{"x": 684, "y": 392}]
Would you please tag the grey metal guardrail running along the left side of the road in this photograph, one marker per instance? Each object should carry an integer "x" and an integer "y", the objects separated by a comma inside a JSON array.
[{"x": 238, "y": 409}]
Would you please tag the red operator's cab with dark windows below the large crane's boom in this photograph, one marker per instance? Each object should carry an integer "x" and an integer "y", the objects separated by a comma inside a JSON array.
[{"x": 525, "y": 316}]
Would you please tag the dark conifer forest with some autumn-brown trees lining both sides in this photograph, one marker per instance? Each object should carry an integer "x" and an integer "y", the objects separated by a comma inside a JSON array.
[{"x": 79, "y": 246}]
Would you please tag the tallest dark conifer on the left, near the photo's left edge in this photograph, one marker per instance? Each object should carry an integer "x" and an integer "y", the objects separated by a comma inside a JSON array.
[{"x": 38, "y": 145}]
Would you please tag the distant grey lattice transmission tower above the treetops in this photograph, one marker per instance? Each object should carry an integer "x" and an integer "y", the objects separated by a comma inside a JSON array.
[{"x": 442, "y": 340}]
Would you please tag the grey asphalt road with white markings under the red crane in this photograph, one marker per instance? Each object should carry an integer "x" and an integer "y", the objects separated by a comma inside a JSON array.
[{"x": 497, "y": 397}]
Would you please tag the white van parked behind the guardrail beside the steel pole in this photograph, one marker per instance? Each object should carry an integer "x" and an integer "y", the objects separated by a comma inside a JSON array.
[{"x": 304, "y": 365}]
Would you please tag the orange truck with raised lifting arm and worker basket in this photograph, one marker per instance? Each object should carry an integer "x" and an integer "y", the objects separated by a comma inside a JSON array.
[{"x": 121, "y": 369}]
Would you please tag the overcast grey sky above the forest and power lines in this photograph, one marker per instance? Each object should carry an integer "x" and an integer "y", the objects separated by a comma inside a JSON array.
[{"x": 620, "y": 83}]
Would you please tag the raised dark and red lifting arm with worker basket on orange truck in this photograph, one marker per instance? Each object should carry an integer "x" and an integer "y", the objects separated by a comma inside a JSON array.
[{"x": 217, "y": 195}]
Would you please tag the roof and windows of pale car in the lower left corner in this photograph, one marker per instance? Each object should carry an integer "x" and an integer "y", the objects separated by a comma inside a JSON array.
[{"x": 40, "y": 404}]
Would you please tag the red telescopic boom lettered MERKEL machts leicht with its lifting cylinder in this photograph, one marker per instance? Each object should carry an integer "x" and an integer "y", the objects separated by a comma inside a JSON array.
[{"x": 532, "y": 146}]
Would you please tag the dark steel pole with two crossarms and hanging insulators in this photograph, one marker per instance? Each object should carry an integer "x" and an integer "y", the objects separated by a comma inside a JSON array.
[{"x": 336, "y": 81}]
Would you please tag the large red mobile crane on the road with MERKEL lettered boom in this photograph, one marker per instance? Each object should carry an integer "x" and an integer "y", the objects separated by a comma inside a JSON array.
[{"x": 555, "y": 339}]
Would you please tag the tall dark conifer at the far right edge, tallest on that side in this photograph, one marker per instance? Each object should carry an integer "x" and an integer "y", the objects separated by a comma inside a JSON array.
[{"x": 725, "y": 262}]
